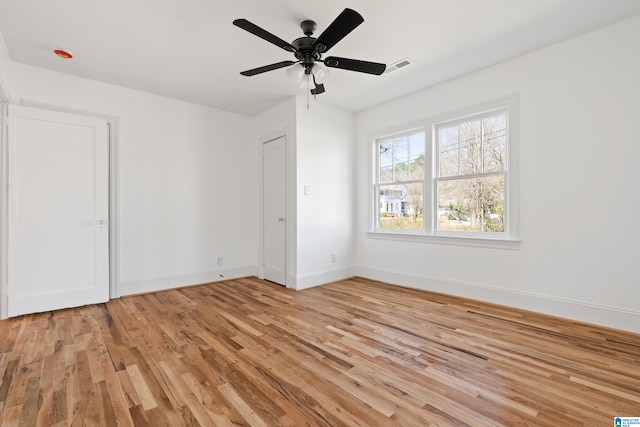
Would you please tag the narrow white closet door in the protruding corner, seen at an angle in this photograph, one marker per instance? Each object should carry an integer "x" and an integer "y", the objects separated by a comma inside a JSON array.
[{"x": 274, "y": 208}]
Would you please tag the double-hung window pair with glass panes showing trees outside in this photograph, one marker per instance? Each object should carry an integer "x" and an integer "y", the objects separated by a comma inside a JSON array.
[{"x": 450, "y": 177}]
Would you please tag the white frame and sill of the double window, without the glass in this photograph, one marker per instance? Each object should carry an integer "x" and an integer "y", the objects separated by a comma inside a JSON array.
[{"x": 509, "y": 238}]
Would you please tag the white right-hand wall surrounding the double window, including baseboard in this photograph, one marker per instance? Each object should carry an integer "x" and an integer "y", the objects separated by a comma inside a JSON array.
[{"x": 579, "y": 201}]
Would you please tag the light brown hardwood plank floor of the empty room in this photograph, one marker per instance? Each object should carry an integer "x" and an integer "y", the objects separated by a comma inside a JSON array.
[{"x": 354, "y": 353}]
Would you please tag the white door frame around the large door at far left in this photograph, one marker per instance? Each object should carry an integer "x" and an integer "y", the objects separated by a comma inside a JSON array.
[{"x": 112, "y": 122}]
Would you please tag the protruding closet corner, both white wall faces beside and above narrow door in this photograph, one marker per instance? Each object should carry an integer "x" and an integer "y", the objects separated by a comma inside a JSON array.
[{"x": 320, "y": 154}]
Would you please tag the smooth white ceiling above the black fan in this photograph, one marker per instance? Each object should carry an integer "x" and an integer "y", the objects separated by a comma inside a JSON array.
[{"x": 190, "y": 50}]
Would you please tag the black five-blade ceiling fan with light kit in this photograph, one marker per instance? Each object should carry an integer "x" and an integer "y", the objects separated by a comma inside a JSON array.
[{"x": 309, "y": 50}]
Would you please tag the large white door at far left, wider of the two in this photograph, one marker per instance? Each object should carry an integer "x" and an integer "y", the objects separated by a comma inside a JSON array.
[{"x": 58, "y": 240}]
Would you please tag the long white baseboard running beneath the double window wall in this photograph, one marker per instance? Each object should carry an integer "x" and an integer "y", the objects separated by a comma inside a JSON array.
[{"x": 612, "y": 317}]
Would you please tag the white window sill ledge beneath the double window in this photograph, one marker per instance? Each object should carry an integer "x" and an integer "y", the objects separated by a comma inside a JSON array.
[{"x": 477, "y": 242}]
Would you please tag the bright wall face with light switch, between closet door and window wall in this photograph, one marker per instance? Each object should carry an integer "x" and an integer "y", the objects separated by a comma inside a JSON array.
[{"x": 325, "y": 159}]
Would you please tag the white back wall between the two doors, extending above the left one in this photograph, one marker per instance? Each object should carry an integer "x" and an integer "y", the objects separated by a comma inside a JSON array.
[{"x": 186, "y": 180}]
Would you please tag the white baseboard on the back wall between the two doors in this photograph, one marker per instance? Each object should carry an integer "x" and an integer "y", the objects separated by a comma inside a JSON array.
[{"x": 154, "y": 284}]
